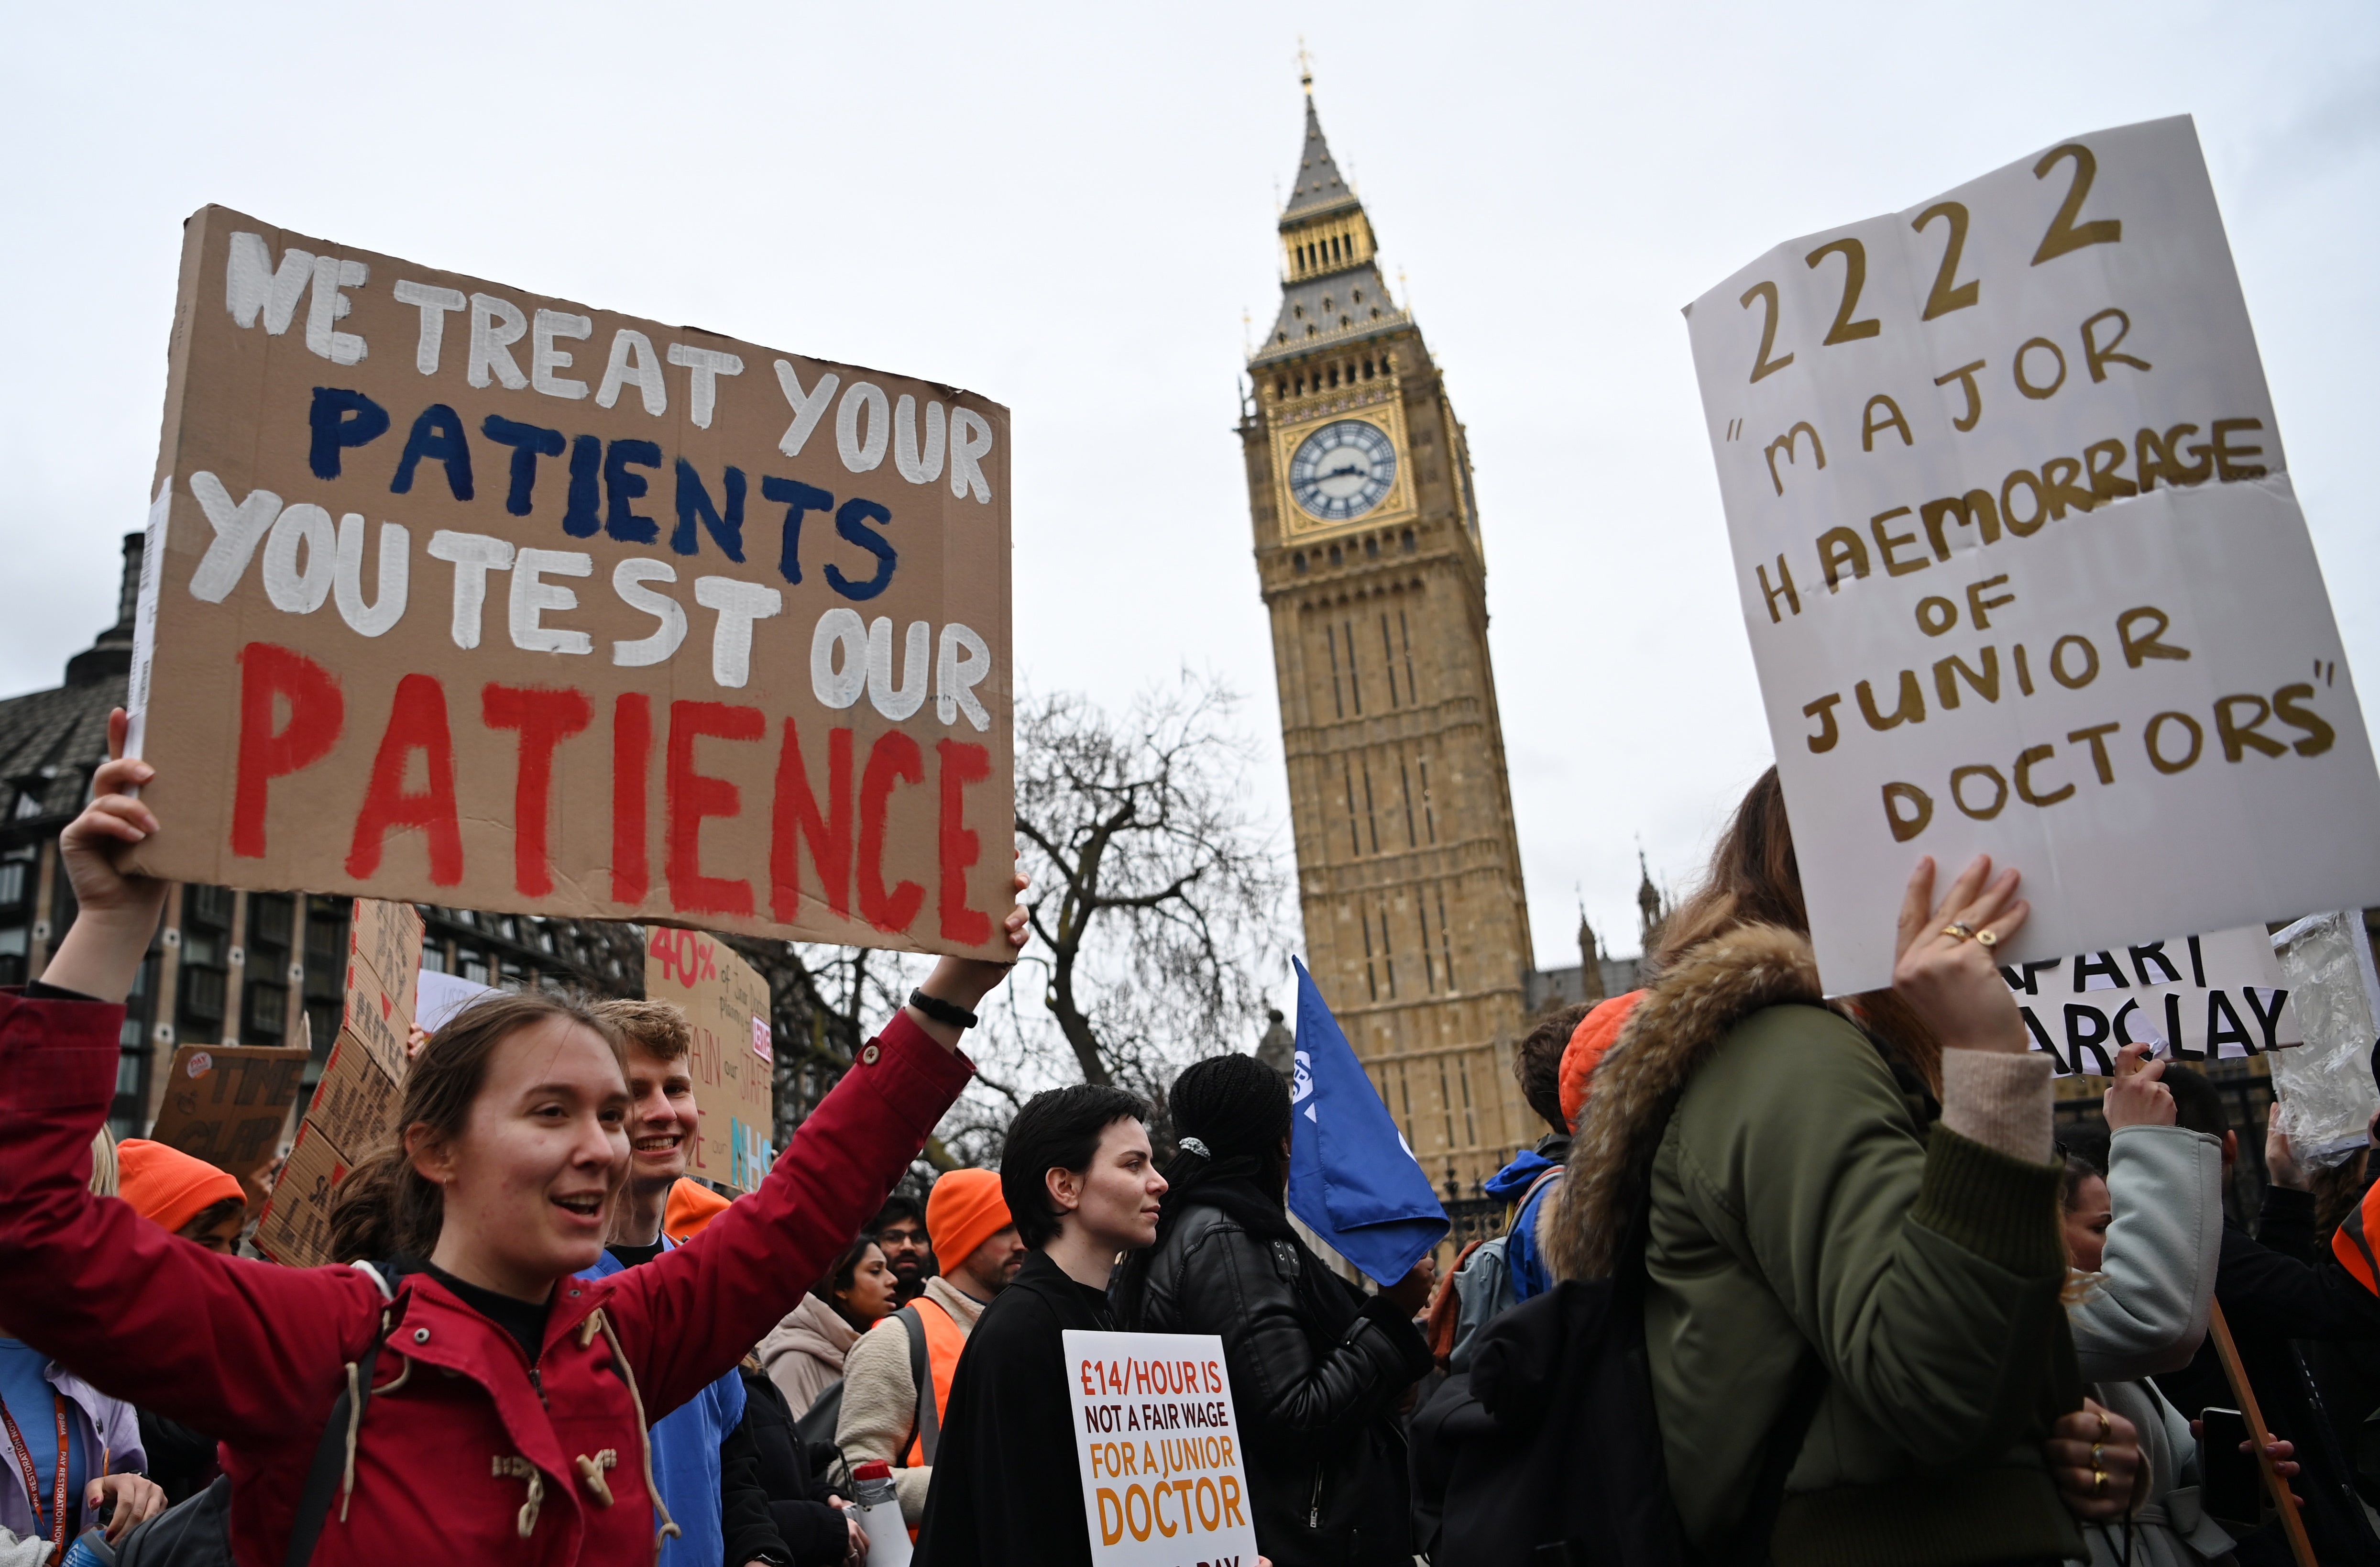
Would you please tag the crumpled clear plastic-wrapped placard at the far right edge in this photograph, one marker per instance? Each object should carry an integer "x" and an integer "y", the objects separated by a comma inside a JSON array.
[{"x": 2326, "y": 1090}]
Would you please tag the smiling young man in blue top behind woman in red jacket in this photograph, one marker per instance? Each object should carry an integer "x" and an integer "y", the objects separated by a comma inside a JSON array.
[{"x": 703, "y": 1456}]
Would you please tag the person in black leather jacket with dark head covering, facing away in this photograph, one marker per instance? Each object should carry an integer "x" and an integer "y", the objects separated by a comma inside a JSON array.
[{"x": 1315, "y": 1368}]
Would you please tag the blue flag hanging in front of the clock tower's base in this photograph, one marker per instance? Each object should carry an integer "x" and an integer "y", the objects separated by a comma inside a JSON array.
[{"x": 1353, "y": 1180}]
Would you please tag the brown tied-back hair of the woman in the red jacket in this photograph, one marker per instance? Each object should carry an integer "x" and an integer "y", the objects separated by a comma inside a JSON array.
[{"x": 384, "y": 1206}]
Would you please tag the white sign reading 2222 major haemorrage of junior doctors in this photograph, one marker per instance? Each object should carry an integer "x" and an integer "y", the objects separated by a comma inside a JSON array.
[{"x": 2022, "y": 563}]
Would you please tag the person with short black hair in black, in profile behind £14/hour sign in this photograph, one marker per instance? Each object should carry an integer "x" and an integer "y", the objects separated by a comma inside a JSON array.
[{"x": 1082, "y": 1182}]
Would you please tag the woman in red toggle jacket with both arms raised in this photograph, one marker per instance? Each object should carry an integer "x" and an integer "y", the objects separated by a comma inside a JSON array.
[{"x": 511, "y": 1399}]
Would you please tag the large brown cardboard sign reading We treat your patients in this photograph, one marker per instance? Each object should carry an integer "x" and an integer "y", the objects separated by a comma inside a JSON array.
[{"x": 487, "y": 599}]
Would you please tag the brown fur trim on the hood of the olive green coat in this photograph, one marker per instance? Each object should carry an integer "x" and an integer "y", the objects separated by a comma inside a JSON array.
[{"x": 1636, "y": 1087}]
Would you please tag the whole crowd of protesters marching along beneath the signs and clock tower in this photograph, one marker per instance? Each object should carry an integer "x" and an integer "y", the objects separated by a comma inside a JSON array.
[{"x": 1862, "y": 1304}]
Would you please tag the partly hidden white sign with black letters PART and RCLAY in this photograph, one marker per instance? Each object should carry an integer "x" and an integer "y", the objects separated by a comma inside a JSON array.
[{"x": 2217, "y": 997}]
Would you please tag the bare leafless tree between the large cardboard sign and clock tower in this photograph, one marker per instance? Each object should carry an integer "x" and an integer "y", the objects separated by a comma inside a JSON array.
[{"x": 1155, "y": 894}]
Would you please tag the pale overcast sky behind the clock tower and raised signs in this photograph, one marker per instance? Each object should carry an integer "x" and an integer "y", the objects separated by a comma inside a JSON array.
[{"x": 1070, "y": 211}]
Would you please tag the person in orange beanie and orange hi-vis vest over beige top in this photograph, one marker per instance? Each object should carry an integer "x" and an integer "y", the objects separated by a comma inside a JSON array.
[{"x": 977, "y": 1244}]
